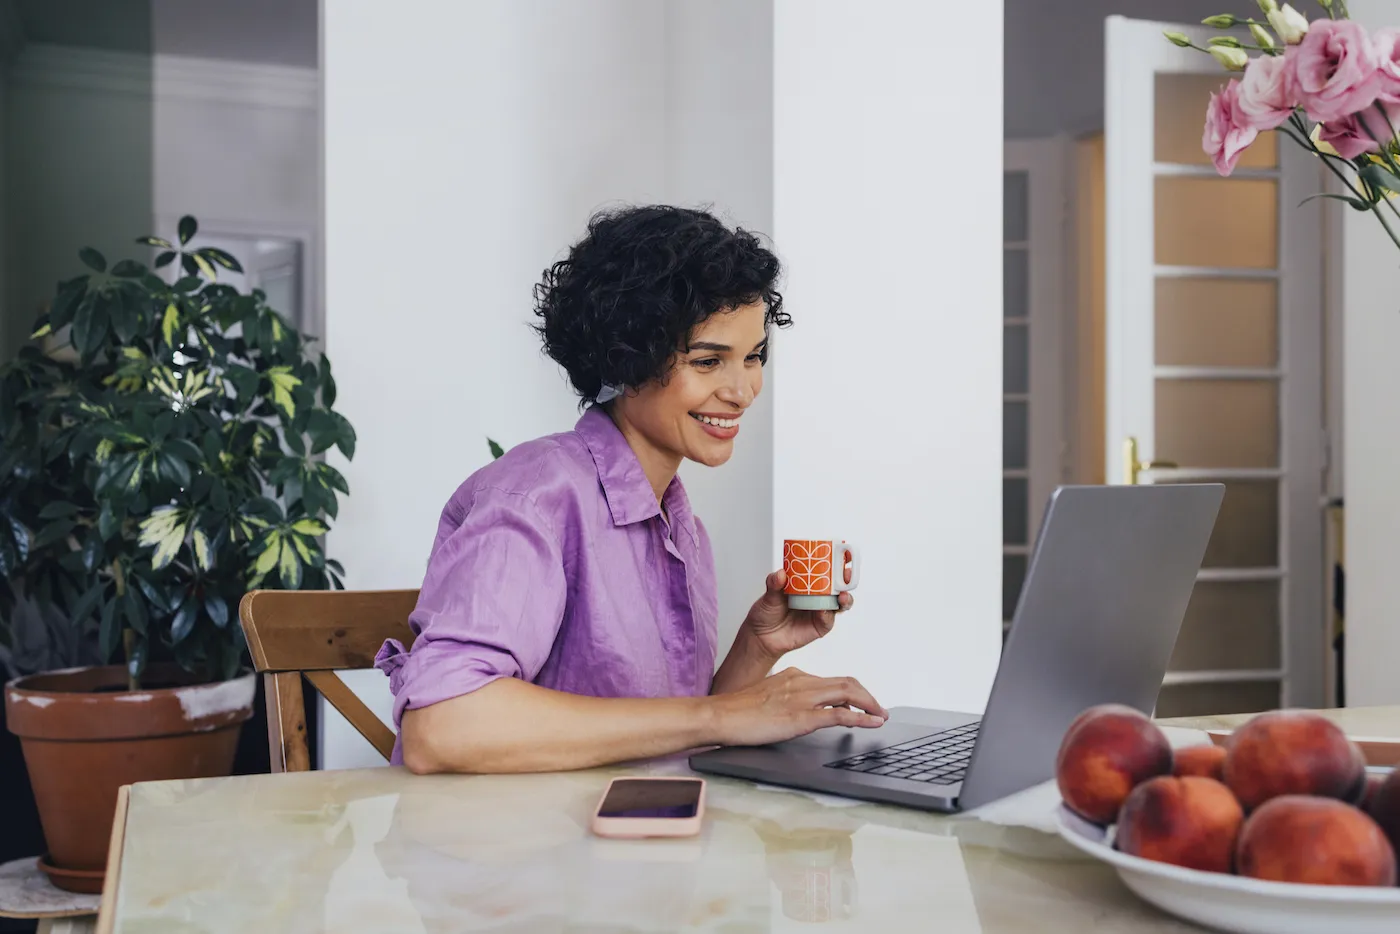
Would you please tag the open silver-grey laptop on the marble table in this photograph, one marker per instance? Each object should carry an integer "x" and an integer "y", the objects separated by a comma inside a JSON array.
[{"x": 1097, "y": 621}]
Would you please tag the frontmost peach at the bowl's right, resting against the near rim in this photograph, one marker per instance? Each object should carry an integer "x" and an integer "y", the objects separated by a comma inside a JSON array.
[{"x": 1315, "y": 841}]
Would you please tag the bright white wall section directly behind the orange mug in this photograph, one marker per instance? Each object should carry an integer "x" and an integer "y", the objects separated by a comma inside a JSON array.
[{"x": 887, "y": 400}]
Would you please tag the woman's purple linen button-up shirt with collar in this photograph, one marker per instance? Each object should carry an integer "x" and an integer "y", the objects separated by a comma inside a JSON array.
[{"x": 555, "y": 565}]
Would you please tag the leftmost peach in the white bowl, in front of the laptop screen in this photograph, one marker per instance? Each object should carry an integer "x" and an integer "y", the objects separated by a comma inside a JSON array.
[{"x": 1108, "y": 751}]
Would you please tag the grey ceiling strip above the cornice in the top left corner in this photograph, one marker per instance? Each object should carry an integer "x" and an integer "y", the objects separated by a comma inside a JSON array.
[{"x": 262, "y": 32}]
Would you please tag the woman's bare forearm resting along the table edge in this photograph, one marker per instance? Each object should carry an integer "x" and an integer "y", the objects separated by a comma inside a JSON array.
[{"x": 513, "y": 726}]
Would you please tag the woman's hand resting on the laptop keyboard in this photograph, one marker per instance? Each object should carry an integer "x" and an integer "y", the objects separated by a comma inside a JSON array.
[{"x": 793, "y": 704}]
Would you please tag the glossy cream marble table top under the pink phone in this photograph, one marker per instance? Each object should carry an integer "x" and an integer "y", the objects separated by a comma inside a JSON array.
[{"x": 384, "y": 852}]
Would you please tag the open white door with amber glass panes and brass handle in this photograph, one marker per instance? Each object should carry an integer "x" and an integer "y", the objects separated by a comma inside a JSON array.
[{"x": 1213, "y": 359}]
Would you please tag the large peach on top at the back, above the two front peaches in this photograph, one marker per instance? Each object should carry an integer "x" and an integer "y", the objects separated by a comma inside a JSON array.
[{"x": 1293, "y": 753}]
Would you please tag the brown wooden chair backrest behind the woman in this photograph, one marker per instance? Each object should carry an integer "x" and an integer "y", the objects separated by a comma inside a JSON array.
[{"x": 316, "y": 634}]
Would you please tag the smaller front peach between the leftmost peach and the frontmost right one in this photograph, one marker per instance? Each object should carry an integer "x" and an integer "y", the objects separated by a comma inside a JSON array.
[{"x": 1188, "y": 821}]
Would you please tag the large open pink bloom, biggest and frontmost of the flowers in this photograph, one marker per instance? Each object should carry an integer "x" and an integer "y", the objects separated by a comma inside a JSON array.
[{"x": 1336, "y": 69}]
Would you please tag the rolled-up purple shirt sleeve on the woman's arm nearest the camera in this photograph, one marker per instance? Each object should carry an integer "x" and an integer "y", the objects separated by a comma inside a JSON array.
[{"x": 491, "y": 607}]
